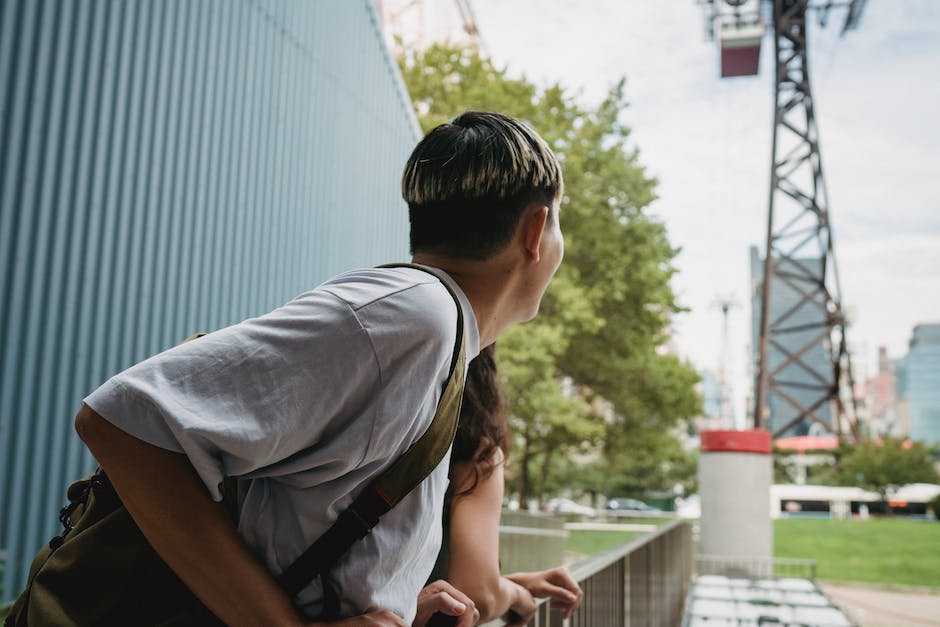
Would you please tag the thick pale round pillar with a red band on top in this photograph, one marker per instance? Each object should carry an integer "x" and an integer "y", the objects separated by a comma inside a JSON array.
[{"x": 735, "y": 475}]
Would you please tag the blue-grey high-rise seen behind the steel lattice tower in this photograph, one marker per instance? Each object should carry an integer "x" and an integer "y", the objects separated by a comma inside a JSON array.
[{"x": 804, "y": 384}]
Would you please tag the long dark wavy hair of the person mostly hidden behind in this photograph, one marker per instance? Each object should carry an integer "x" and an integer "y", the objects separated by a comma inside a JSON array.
[{"x": 482, "y": 426}]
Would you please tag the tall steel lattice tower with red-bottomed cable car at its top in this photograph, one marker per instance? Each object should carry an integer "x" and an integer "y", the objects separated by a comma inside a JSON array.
[{"x": 804, "y": 375}]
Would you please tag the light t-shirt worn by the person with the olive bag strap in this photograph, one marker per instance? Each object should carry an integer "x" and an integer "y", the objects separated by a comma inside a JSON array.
[{"x": 306, "y": 405}]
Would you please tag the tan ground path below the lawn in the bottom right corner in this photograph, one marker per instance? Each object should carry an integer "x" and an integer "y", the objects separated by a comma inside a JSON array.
[{"x": 885, "y": 607}]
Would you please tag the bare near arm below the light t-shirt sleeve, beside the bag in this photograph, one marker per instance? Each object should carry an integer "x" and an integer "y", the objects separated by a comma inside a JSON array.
[{"x": 191, "y": 532}]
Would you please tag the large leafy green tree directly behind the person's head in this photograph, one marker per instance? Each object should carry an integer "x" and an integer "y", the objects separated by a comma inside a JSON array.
[{"x": 585, "y": 380}]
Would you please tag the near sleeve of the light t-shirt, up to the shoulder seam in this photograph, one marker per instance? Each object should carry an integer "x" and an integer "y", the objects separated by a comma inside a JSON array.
[{"x": 248, "y": 399}]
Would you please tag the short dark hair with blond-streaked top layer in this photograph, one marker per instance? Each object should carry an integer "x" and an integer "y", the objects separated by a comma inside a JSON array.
[{"x": 468, "y": 182}]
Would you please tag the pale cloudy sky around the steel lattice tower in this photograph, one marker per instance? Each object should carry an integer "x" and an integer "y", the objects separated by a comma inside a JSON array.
[{"x": 708, "y": 142}]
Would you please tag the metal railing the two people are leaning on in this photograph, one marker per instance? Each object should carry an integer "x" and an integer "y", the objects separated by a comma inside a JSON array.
[{"x": 641, "y": 583}]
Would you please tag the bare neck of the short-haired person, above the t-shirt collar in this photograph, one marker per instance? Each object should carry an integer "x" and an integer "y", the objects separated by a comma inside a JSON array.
[{"x": 488, "y": 285}]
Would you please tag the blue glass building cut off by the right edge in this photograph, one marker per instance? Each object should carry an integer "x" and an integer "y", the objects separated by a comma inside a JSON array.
[{"x": 918, "y": 385}]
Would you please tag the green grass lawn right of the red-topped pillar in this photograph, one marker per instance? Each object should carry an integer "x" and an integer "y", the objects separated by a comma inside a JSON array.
[{"x": 879, "y": 550}]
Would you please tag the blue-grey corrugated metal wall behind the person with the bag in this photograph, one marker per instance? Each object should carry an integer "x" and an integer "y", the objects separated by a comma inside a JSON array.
[{"x": 168, "y": 167}]
